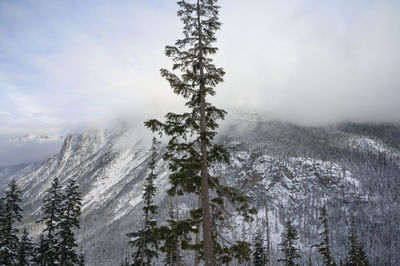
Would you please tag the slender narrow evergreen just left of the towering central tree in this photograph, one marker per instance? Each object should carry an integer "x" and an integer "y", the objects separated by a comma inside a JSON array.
[{"x": 145, "y": 240}]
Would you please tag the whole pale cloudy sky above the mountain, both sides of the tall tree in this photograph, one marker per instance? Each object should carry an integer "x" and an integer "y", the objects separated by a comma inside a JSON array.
[{"x": 65, "y": 64}]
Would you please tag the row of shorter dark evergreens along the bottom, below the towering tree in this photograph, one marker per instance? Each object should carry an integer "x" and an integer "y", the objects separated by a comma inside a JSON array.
[{"x": 152, "y": 245}]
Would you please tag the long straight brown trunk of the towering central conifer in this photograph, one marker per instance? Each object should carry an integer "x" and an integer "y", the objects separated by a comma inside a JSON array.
[{"x": 205, "y": 202}]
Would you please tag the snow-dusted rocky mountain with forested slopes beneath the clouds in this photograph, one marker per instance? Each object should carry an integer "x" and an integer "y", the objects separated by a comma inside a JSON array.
[{"x": 354, "y": 169}]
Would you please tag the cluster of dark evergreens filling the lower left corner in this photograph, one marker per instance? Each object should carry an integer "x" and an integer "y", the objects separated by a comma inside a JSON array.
[{"x": 56, "y": 244}]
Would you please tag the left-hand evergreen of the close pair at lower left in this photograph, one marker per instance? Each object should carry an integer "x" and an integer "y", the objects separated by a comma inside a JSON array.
[{"x": 51, "y": 211}]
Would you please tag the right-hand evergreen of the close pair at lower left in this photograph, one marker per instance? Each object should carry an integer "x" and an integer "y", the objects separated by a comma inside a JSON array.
[{"x": 69, "y": 221}]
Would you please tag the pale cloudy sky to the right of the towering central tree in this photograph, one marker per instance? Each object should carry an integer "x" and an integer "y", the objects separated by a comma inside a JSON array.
[{"x": 313, "y": 62}]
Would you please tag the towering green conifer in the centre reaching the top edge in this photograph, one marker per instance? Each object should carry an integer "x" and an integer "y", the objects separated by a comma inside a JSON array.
[{"x": 191, "y": 150}]
